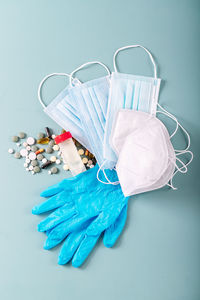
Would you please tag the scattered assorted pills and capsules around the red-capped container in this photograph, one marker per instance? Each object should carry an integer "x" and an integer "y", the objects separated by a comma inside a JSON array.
[{"x": 43, "y": 154}]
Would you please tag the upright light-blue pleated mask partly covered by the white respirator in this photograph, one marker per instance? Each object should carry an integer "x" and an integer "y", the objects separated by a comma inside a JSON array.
[{"x": 127, "y": 91}]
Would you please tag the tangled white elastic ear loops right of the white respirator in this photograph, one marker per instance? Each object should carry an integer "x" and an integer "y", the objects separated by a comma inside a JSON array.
[{"x": 184, "y": 168}]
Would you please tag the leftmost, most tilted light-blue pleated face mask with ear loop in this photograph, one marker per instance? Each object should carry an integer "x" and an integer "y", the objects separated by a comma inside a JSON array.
[{"x": 68, "y": 118}]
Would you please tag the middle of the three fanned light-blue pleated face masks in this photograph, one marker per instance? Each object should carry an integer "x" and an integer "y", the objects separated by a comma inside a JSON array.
[{"x": 91, "y": 99}]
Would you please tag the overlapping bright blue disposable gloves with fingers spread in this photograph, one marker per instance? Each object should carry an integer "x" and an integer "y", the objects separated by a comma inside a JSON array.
[{"x": 85, "y": 208}]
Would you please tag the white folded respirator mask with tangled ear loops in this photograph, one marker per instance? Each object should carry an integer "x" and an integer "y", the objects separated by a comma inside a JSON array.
[{"x": 146, "y": 157}]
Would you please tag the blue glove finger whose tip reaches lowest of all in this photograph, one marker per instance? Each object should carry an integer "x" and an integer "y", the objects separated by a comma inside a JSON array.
[{"x": 84, "y": 250}]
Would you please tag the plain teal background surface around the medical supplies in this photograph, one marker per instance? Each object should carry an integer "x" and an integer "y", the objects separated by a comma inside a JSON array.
[{"x": 157, "y": 257}]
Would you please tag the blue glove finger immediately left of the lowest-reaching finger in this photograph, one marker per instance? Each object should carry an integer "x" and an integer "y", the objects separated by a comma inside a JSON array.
[{"x": 71, "y": 244}]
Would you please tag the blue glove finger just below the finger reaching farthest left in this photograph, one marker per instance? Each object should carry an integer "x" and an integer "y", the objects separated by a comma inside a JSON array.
[{"x": 59, "y": 215}]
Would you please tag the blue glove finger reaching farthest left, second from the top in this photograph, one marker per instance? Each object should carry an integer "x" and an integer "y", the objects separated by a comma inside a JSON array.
[{"x": 52, "y": 203}]
